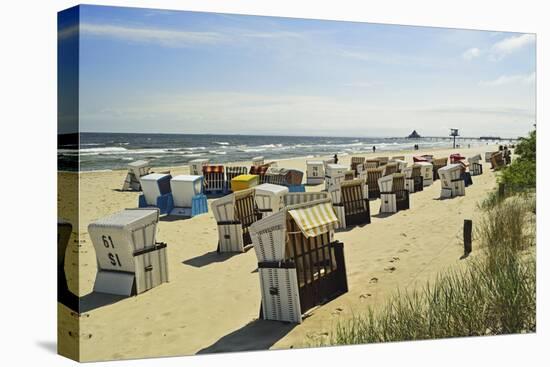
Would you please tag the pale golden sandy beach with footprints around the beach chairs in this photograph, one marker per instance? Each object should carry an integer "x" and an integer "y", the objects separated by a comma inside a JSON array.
[{"x": 212, "y": 301}]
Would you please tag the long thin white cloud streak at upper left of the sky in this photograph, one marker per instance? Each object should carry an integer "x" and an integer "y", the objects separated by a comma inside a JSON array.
[{"x": 168, "y": 38}]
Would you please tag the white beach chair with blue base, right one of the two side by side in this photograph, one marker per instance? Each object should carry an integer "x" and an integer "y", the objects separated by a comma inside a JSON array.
[{"x": 189, "y": 201}]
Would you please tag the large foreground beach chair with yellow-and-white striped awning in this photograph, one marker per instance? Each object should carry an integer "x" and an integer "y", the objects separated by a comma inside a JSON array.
[{"x": 300, "y": 266}]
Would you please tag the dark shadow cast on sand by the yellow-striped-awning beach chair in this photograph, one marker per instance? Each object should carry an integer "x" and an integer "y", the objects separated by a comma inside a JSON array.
[{"x": 257, "y": 335}]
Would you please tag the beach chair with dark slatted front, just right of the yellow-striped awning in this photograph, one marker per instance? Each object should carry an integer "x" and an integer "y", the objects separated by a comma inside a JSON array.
[{"x": 351, "y": 203}]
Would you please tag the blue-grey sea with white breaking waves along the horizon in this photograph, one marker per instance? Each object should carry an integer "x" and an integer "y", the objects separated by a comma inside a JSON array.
[{"x": 110, "y": 151}]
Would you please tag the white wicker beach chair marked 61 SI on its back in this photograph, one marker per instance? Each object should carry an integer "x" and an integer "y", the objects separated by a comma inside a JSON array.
[{"x": 129, "y": 259}]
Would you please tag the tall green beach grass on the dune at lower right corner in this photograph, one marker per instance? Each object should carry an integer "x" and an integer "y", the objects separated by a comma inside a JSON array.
[{"x": 494, "y": 294}]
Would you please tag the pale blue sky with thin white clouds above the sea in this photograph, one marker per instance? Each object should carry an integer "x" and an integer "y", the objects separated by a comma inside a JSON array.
[{"x": 158, "y": 71}]
